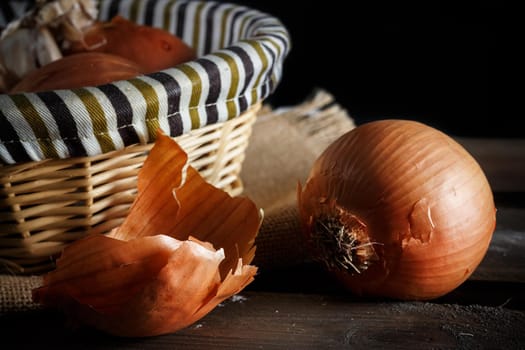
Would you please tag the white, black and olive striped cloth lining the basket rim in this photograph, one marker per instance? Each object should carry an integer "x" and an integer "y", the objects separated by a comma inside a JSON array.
[{"x": 241, "y": 53}]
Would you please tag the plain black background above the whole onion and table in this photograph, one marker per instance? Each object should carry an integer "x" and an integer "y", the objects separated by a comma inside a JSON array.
[{"x": 451, "y": 65}]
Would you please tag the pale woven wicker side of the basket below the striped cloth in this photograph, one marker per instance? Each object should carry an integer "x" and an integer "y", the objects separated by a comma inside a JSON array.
[{"x": 45, "y": 205}]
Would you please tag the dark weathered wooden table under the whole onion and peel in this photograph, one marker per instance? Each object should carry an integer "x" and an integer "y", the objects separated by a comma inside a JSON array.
[{"x": 300, "y": 307}]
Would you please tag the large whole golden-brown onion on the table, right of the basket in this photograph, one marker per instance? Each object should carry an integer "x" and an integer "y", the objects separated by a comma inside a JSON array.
[{"x": 397, "y": 209}]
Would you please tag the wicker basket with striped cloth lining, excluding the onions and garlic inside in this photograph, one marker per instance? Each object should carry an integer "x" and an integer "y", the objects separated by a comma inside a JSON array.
[{"x": 58, "y": 184}]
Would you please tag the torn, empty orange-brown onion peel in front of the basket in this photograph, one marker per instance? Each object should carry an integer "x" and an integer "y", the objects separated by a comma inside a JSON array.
[{"x": 184, "y": 247}]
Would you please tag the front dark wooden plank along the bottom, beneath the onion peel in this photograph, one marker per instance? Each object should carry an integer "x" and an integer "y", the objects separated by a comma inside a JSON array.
[{"x": 300, "y": 321}]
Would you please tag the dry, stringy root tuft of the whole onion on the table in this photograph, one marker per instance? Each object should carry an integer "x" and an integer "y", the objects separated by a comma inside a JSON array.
[{"x": 342, "y": 242}]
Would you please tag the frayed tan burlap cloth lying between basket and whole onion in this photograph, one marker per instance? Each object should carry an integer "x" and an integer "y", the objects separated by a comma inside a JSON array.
[{"x": 284, "y": 144}]
